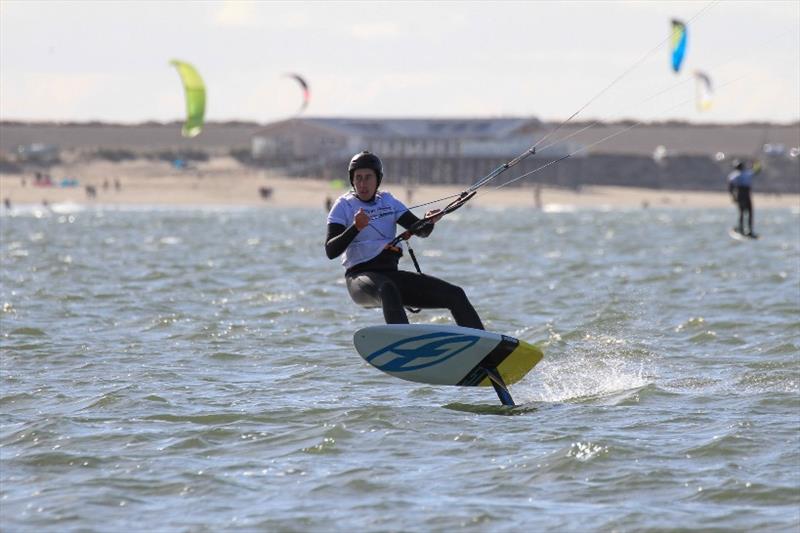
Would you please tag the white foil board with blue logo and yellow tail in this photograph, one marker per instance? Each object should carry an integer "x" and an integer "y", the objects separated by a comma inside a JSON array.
[{"x": 447, "y": 355}]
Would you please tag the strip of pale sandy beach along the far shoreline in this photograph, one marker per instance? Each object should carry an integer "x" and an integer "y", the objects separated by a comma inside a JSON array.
[{"x": 223, "y": 181}]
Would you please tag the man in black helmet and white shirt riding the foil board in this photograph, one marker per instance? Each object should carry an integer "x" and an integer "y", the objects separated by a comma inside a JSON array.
[{"x": 361, "y": 224}]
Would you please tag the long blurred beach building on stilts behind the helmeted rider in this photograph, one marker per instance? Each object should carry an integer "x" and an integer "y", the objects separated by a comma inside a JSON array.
[{"x": 412, "y": 150}]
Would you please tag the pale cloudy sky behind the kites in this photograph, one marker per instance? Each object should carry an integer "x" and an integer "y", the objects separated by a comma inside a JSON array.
[{"x": 109, "y": 61}]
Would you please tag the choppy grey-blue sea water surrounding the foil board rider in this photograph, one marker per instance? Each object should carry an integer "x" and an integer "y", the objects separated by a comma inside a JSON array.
[{"x": 193, "y": 370}]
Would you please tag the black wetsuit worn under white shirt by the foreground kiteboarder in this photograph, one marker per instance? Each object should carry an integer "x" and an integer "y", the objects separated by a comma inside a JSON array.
[{"x": 379, "y": 283}]
